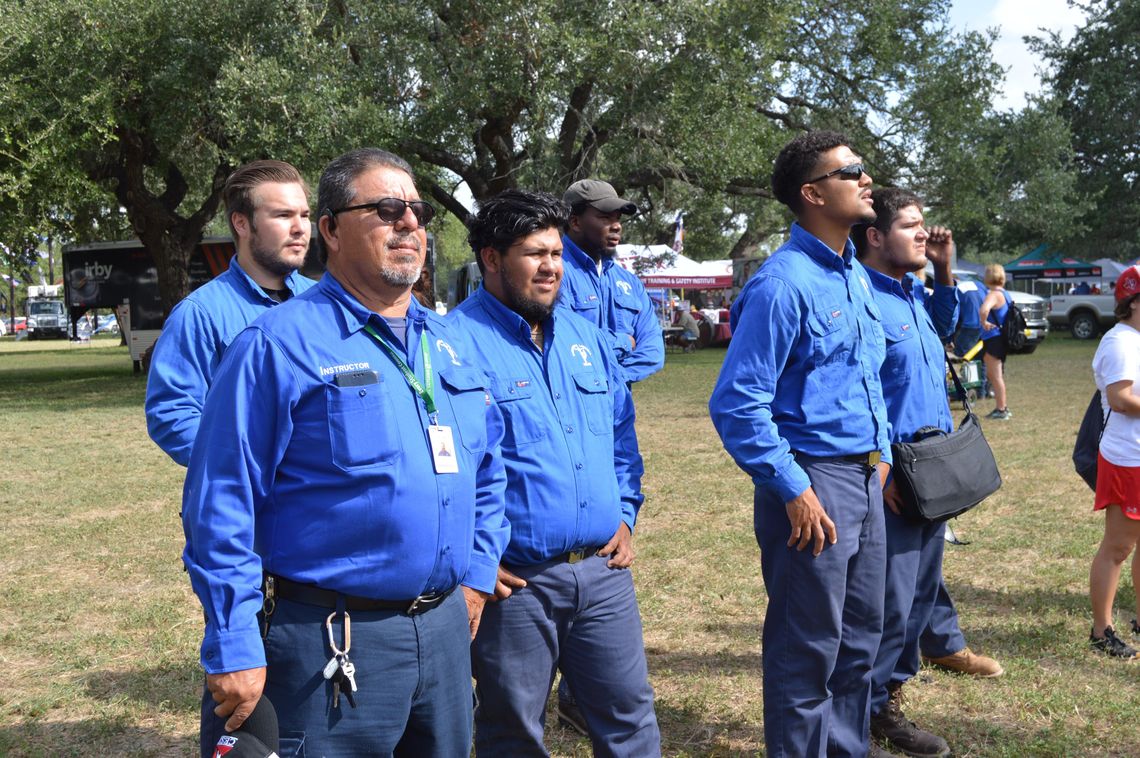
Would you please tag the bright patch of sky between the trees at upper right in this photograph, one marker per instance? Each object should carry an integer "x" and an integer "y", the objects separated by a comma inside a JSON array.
[{"x": 1015, "y": 20}]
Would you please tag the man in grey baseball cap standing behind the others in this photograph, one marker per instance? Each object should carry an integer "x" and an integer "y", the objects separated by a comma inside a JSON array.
[{"x": 602, "y": 292}]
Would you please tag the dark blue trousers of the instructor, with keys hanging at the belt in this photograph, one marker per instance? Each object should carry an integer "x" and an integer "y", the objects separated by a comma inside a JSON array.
[{"x": 413, "y": 673}]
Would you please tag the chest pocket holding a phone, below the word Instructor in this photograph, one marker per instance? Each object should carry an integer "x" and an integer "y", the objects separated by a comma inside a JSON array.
[{"x": 363, "y": 429}]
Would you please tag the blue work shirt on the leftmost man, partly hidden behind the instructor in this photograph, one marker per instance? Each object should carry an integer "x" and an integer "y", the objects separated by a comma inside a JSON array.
[{"x": 188, "y": 354}]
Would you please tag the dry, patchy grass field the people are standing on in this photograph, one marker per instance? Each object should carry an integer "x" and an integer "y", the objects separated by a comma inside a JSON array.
[{"x": 100, "y": 631}]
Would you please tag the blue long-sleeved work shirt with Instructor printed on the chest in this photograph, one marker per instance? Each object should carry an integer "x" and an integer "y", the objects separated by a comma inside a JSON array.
[{"x": 314, "y": 463}]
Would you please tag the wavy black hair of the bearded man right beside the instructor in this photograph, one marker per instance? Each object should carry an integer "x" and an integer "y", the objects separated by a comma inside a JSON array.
[{"x": 512, "y": 215}]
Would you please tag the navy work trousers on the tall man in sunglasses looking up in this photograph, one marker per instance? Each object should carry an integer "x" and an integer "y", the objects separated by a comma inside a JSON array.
[{"x": 825, "y": 617}]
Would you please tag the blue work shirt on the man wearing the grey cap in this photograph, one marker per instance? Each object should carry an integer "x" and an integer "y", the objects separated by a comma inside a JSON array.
[{"x": 616, "y": 303}]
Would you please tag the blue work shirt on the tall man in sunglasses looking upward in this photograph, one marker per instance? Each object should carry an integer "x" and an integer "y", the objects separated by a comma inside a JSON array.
[{"x": 802, "y": 372}]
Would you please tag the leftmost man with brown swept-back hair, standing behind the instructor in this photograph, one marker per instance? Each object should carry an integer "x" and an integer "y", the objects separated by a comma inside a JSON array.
[{"x": 267, "y": 206}]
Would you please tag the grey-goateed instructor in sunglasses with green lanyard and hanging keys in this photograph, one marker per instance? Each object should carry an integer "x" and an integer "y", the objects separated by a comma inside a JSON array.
[{"x": 346, "y": 483}]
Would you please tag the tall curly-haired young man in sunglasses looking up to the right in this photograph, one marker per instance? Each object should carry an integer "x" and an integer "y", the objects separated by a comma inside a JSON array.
[{"x": 800, "y": 407}]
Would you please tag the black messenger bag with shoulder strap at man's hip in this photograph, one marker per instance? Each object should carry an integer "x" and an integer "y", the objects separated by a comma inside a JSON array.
[{"x": 941, "y": 476}]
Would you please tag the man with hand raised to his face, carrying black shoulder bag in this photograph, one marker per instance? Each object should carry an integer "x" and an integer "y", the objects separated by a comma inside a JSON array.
[{"x": 894, "y": 249}]
